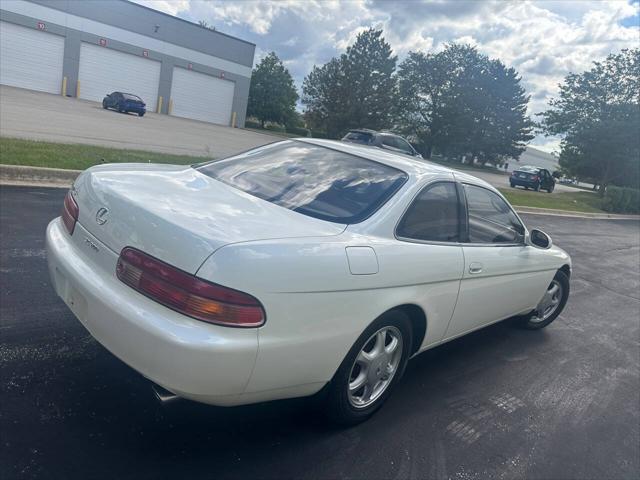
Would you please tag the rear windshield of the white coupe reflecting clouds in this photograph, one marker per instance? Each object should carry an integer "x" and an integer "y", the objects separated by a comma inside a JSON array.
[{"x": 312, "y": 180}]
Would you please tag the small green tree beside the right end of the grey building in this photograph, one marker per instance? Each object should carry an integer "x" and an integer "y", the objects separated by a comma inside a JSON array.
[{"x": 272, "y": 94}]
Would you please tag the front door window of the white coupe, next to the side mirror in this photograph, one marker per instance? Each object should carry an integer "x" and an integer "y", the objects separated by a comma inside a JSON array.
[{"x": 491, "y": 219}]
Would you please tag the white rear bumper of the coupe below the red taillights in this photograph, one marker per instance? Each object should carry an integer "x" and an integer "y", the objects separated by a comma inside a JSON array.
[{"x": 192, "y": 359}]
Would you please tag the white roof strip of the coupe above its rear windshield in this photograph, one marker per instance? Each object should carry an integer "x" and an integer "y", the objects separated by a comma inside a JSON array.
[{"x": 410, "y": 165}]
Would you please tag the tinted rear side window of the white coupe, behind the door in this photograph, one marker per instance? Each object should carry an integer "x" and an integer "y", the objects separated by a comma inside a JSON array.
[{"x": 433, "y": 216}]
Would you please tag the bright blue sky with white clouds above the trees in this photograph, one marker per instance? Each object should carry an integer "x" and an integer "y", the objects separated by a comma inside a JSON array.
[{"x": 543, "y": 40}]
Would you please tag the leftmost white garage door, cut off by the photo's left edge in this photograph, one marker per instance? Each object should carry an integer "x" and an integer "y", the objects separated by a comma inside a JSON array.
[{"x": 30, "y": 58}]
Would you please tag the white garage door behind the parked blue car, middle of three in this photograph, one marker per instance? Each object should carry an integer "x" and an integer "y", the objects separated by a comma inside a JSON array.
[{"x": 103, "y": 71}]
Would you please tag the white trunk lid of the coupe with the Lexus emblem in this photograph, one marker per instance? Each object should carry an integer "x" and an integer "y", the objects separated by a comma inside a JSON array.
[{"x": 179, "y": 215}]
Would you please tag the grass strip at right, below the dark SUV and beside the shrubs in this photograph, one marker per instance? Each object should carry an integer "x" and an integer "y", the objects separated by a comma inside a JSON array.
[{"x": 574, "y": 201}]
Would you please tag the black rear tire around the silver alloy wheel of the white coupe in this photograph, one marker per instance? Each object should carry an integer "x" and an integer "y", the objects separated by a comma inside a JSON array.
[{"x": 341, "y": 405}]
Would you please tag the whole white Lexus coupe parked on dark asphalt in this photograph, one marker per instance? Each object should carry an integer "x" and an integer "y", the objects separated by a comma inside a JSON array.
[{"x": 298, "y": 267}]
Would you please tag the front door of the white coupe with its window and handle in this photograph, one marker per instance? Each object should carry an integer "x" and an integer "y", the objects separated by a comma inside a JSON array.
[{"x": 502, "y": 275}]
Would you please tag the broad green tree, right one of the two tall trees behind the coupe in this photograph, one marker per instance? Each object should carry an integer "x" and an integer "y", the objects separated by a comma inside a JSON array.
[{"x": 460, "y": 102}]
